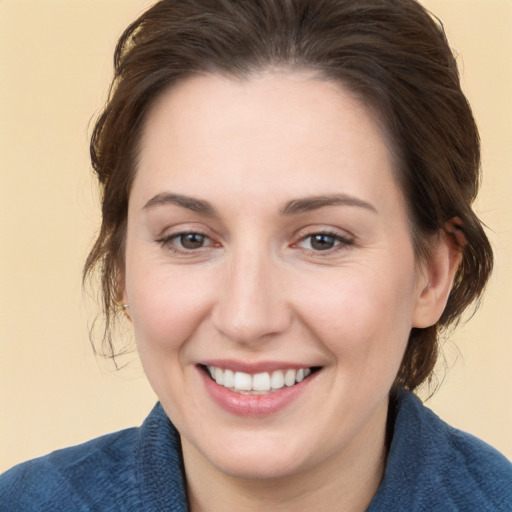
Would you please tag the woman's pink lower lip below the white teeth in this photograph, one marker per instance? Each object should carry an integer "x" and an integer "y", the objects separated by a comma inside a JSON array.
[{"x": 254, "y": 405}]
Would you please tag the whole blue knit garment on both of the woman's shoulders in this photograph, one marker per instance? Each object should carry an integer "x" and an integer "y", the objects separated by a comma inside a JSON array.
[{"x": 431, "y": 467}]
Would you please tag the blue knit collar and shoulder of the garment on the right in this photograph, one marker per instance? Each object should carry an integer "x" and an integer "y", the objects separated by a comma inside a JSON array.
[{"x": 433, "y": 466}]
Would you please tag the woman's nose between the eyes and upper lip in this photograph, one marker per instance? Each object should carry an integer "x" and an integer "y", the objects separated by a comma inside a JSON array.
[{"x": 252, "y": 305}]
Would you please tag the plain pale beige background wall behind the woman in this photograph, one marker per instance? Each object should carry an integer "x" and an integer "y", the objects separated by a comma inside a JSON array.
[{"x": 55, "y": 65}]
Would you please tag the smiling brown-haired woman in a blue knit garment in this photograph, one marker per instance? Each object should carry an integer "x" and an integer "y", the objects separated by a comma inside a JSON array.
[{"x": 287, "y": 224}]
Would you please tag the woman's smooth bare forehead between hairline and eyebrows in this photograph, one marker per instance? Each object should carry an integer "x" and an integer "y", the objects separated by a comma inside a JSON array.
[{"x": 277, "y": 132}]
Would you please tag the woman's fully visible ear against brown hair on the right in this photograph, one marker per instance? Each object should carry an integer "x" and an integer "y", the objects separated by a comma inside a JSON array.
[{"x": 437, "y": 274}]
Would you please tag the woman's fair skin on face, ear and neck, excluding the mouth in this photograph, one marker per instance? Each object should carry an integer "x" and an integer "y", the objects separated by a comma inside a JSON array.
[{"x": 258, "y": 290}]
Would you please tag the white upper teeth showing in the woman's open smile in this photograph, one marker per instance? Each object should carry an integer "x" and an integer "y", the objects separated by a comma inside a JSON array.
[{"x": 258, "y": 383}]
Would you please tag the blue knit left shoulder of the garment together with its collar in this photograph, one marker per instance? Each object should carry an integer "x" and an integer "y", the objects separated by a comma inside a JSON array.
[{"x": 128, "y": 471}]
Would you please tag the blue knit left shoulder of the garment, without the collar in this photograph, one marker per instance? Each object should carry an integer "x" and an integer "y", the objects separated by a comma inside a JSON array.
[{"x": 74, "y": 478}]
